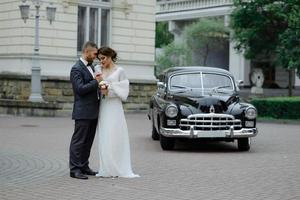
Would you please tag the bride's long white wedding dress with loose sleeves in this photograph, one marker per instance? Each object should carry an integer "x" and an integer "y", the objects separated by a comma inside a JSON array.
[{"x": 113, "y": 140}]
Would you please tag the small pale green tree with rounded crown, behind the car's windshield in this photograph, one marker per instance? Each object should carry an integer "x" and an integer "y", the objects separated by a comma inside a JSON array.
[{"x": 205, "y": 35}]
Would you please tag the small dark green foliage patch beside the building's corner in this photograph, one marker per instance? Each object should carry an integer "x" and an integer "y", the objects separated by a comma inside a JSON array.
[{"x": 162, "y": 35}]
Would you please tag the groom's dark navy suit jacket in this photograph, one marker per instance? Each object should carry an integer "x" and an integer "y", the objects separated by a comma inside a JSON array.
[{"x": 86, "y": 92}]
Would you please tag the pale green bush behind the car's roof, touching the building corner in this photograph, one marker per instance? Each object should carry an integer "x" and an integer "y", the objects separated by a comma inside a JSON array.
[{"x": 173, "y": 55}]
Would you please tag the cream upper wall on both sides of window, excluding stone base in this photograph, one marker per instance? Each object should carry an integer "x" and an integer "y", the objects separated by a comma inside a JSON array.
[{"x": 132, "y": 35}]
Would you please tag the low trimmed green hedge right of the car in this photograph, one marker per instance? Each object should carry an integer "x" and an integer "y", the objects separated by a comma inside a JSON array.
[{"x": 278, "y": 107}]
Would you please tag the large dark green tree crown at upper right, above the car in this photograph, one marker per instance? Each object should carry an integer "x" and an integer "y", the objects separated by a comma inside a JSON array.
[{"x": 257, "y": 25}]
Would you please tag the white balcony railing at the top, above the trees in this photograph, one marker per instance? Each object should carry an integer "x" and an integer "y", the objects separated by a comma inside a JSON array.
[{"x": 165, "y": 6}]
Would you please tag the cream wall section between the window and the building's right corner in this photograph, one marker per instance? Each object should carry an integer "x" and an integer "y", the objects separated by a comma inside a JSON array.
[{"x": 133, "y": 36}]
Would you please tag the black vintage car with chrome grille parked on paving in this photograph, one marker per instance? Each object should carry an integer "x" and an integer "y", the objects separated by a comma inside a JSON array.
[{"x": 200, "y": 103}]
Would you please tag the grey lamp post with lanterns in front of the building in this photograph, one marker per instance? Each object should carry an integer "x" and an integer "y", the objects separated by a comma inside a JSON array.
[{"x": 35, "y": 95}]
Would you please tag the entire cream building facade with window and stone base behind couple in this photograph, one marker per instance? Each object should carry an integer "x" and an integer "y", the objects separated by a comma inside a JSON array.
[{"x": 126, "y": 25}]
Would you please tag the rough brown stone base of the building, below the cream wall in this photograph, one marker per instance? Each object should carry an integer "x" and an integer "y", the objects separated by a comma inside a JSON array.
[{"x": 58, "y": 96}]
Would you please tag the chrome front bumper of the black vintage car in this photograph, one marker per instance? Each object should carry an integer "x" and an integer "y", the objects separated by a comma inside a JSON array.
[{"x": 231, "y": 133}]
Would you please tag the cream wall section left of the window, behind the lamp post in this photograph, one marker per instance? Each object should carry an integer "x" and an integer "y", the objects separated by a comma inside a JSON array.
[{"x": 57, "y": 40}]
